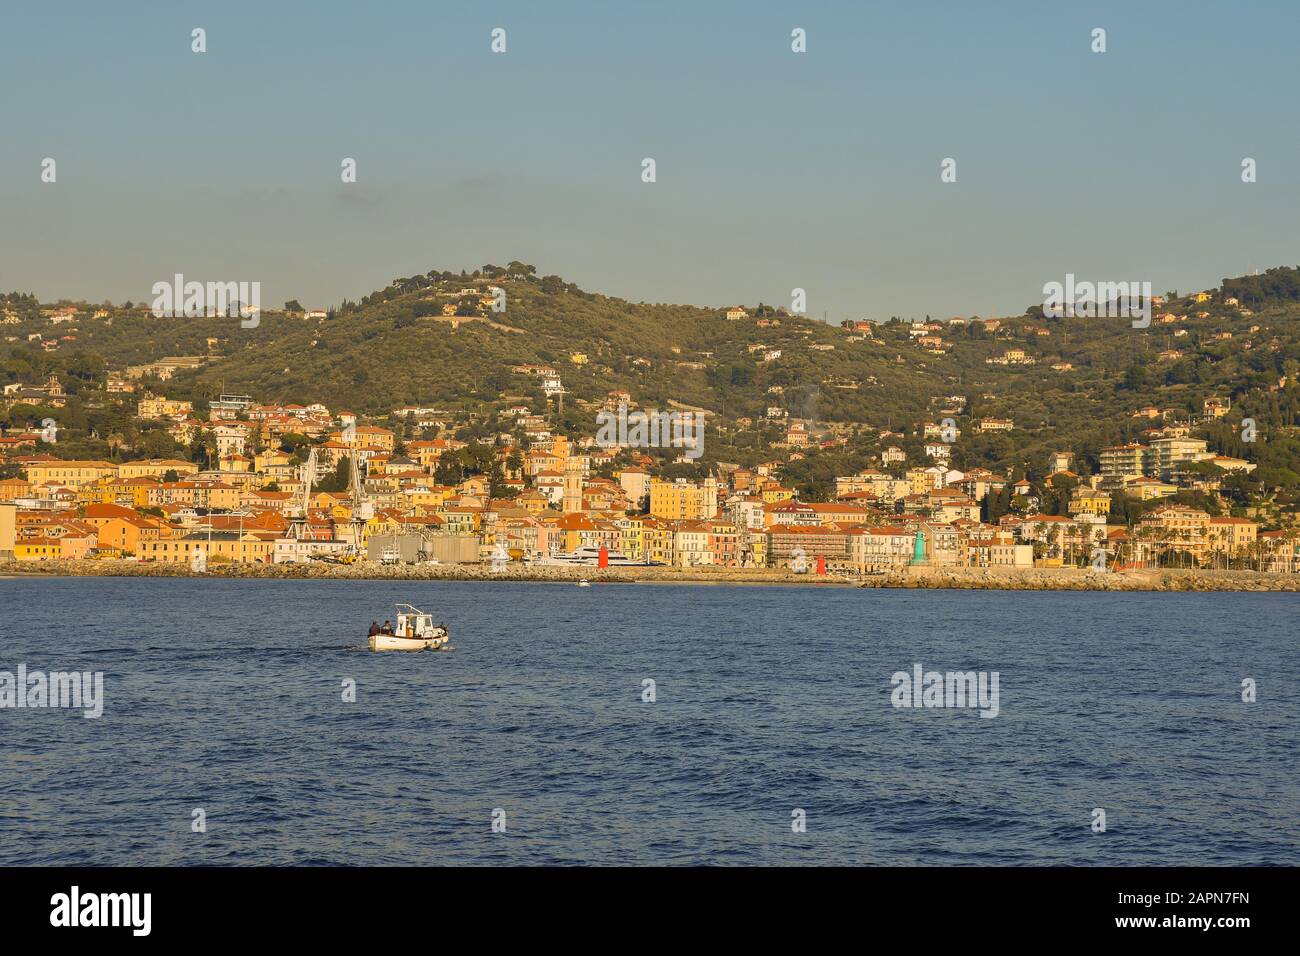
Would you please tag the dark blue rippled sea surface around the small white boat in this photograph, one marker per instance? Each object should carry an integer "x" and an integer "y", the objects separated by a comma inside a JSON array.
[{"x": 228, "y": 697}]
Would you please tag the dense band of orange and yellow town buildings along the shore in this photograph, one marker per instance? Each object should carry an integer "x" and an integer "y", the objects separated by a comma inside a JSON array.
[{"x": 292, "y": 485}]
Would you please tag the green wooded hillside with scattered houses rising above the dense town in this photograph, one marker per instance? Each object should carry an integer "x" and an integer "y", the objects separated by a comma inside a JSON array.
[{"x": 1078, "y": 386}]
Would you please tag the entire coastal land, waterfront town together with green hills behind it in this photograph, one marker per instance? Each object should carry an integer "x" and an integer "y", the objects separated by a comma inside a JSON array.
[{"x": 743, "y": 438}]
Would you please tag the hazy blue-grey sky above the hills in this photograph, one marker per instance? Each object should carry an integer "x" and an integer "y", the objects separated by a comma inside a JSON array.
[{"x": 775, "y": 170}]
